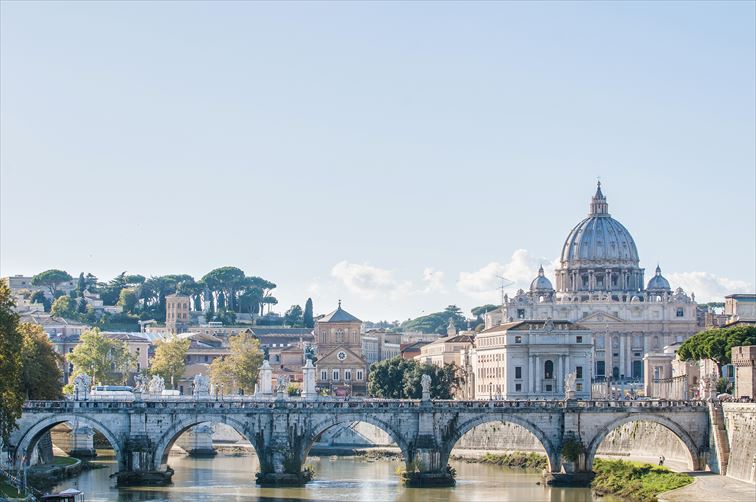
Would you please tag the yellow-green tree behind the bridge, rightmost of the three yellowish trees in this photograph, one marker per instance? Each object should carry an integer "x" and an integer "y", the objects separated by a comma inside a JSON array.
[{"x": 241, "y": 365}]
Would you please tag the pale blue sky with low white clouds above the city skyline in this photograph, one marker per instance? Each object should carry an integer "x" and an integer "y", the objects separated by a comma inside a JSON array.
[{"x": 396, "y": 156}]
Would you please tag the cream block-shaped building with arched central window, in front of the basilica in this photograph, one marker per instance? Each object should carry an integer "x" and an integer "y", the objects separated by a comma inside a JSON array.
[{"x": 530, "y": 360}]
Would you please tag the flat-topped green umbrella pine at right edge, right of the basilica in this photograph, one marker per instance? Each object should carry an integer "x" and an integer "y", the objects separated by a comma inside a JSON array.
[{"x": 716, "y": 344}]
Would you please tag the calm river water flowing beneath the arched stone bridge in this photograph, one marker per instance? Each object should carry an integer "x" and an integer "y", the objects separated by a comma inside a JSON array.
[{"x": 230, "y": 477}]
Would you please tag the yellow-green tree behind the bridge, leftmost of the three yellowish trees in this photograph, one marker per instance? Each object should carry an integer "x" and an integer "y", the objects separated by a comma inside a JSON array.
[{"x": 106, "y": 360}]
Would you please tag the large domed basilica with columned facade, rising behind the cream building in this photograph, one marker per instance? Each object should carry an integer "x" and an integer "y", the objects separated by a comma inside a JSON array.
[{"x": 600, "y": 285}]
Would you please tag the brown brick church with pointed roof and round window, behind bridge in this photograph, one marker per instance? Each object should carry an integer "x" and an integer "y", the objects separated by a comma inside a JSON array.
[{"x": 342, "y": 369}]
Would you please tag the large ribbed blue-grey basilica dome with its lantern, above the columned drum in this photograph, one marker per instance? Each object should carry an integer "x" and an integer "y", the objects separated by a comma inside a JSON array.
[{"x": 599, "y": 240}]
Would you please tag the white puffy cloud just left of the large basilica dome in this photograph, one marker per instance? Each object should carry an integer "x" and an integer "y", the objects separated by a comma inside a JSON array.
[{"x": 484, "y": 283}]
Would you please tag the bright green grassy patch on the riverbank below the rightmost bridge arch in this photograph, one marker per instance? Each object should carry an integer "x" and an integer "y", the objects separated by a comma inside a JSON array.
[{"x": 635, "y": 481}]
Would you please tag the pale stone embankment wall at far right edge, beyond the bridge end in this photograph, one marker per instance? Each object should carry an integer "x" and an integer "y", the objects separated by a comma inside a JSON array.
[{"x": 740, "y": 419}]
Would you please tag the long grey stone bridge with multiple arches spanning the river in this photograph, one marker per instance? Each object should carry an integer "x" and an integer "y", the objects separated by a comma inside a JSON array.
[{"x": 283, "y": 431}]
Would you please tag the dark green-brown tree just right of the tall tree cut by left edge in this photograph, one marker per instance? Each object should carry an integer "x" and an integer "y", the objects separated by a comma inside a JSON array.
[{"x": 40, "y": 377}]
